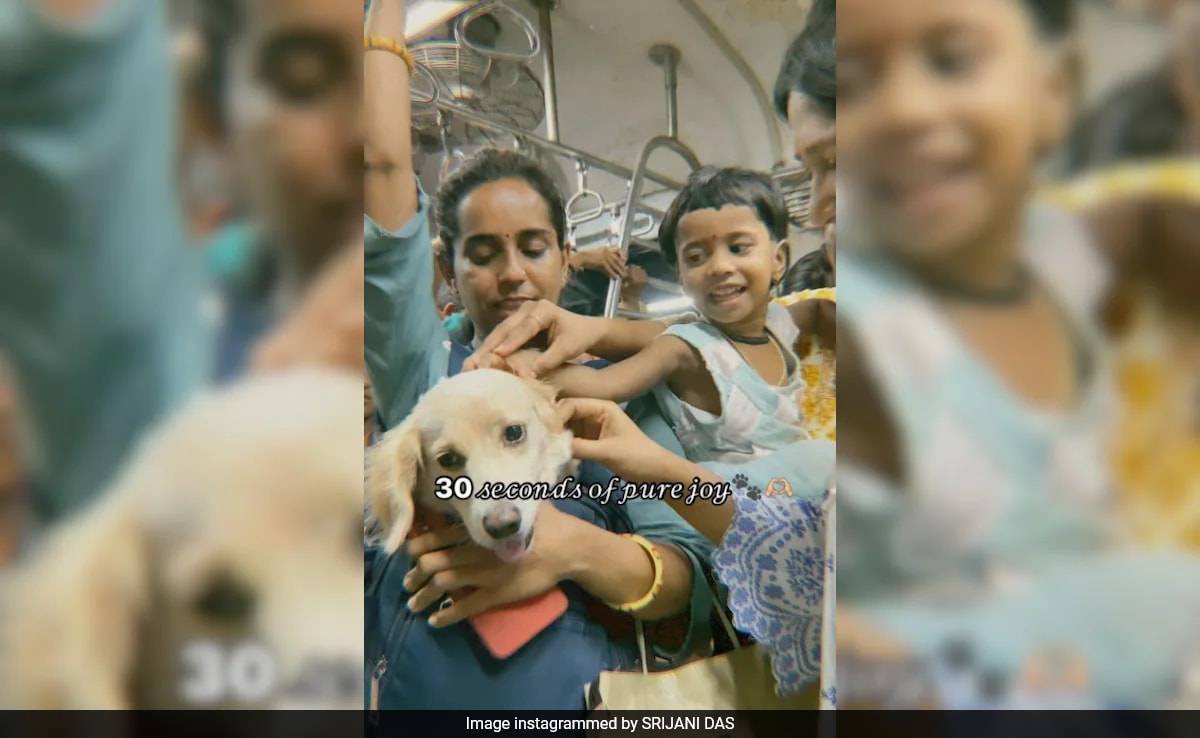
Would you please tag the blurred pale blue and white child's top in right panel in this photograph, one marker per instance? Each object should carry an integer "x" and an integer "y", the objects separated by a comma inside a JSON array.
[{"x": 1000, "y": 531}]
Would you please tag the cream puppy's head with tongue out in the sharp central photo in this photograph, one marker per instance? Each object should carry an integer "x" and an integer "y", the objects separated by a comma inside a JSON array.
[{"x": 484, "y": 428}]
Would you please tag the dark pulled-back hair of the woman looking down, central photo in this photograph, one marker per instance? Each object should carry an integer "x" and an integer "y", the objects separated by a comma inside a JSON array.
[{"x": 491, "y": 166}]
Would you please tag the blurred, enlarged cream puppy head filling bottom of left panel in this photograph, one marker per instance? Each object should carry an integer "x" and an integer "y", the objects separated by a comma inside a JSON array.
[{"x": 221, "y": 569}]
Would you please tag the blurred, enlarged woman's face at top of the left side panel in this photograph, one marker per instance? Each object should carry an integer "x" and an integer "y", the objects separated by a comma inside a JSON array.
[{"x": 297, "y": 123}]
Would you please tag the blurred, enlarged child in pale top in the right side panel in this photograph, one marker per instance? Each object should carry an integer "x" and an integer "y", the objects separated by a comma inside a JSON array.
[{"x": 975, "y": 362}]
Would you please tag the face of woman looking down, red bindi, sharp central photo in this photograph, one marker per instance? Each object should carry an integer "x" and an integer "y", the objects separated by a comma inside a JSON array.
[{"x": 508, "y": 254}]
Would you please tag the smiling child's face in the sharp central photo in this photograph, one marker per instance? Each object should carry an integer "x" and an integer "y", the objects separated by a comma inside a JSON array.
[{"x": 728, "y": 263}]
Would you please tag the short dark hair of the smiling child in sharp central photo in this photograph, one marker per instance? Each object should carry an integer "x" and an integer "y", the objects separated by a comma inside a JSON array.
[{"x": 715, "y": 189}]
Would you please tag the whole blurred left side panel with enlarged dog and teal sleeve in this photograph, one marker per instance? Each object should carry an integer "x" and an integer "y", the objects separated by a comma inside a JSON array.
[{"x": 166, "y": 207}]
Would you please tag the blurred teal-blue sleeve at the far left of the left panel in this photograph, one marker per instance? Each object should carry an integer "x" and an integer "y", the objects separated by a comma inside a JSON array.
[{"x": 100, "y": 293}]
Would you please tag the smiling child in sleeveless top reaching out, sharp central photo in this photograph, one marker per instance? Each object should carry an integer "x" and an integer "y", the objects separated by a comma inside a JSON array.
[{"x": 729, "y": 383}]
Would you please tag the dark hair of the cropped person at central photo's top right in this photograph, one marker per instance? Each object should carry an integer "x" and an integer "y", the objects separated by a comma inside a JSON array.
[{"x": 811, "y": 64}]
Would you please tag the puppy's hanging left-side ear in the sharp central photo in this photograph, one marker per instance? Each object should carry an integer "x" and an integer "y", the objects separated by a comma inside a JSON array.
[{"x": 393, "y": 470}]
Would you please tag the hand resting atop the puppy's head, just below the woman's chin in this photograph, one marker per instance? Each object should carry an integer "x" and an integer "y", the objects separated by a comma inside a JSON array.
[{"x": 568, "y": 335}]
